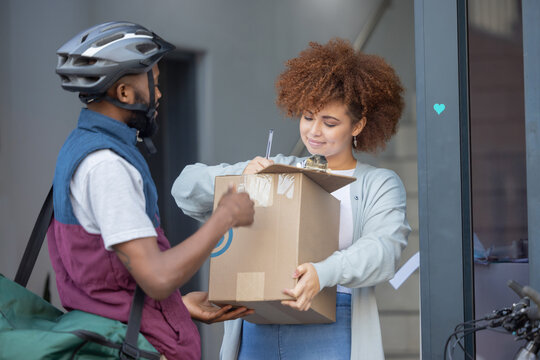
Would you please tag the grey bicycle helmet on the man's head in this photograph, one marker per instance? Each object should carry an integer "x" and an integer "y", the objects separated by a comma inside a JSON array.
[{"x": 92, "y": 61}]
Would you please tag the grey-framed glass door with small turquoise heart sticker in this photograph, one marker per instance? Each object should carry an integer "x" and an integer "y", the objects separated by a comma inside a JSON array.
[{"x": 478, "y": 113}]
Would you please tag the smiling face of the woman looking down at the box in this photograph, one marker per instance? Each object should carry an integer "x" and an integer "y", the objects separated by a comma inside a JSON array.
[{"x": 329, "y": 132}]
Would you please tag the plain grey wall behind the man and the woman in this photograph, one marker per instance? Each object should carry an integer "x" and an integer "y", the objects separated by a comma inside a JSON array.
[{"x": 243, "y": 43}]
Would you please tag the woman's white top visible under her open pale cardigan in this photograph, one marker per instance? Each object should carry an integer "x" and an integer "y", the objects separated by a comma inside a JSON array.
[{"x": 345, "y": 218}]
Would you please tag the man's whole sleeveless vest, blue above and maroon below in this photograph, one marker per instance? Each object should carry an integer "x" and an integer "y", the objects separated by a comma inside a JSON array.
[{"x": 89, "y": 277}]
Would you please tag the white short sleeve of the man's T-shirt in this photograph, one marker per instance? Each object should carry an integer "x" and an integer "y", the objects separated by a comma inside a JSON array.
[{"x": 107, "y": 197}]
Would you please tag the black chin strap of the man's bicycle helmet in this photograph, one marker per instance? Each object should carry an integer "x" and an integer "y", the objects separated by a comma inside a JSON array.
[{"x": 150, "y": 127}]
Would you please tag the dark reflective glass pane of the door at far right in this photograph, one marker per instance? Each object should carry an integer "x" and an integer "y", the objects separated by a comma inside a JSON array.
[{"x": 498, "y": 163}]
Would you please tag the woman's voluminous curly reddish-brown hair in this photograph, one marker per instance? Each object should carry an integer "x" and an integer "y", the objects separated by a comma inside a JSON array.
[{"x": 366, "y": 84}]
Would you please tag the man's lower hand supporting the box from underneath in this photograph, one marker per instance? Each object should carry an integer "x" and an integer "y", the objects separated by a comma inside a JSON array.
[{"x": 202, "y": 310}]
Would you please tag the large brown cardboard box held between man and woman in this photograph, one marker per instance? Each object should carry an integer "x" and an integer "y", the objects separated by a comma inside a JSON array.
[{"x": 296, "y": 221}]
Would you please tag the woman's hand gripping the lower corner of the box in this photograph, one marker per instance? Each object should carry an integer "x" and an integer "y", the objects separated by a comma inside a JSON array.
[{"x": 305, "y": 290}]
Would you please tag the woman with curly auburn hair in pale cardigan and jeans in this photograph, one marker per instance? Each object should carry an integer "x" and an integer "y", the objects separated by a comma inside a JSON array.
[{"x": 347, "y": 102}]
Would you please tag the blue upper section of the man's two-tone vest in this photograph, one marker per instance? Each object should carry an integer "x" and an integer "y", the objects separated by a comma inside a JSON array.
[{"x": 95, "y": 132}]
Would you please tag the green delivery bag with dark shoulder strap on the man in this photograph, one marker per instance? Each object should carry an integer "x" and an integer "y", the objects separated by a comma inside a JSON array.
[{"x": 32, "y": 329}]
